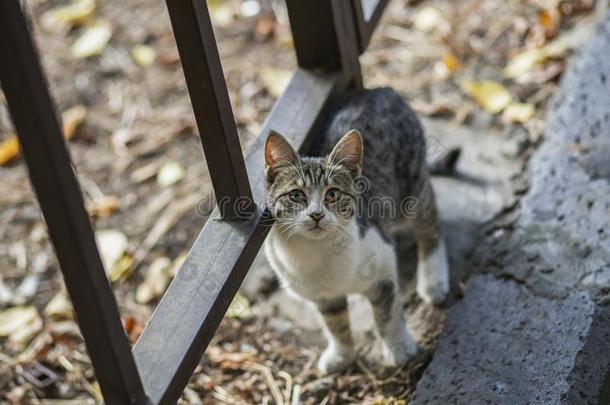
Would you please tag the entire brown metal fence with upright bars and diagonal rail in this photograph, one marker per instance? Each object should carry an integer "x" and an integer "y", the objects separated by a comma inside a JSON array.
[{"x": 328, "y": 36}]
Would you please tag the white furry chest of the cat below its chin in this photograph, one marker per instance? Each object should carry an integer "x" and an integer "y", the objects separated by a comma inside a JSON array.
[{"x": 317, "y": 269}]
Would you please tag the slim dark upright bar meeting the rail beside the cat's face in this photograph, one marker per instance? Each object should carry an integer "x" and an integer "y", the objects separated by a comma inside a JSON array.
[{"x": 210, "y": 99}]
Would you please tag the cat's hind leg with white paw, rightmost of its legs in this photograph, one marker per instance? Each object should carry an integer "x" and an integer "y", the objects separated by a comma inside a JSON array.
[{"x": 432, "y": 264}]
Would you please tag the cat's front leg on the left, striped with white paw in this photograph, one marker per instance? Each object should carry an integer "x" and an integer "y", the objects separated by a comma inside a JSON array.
[{"x": 339, "y": 354}]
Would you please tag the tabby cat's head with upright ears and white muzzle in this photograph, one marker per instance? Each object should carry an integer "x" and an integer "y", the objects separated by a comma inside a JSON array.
[{"x": 312, "y": 197}]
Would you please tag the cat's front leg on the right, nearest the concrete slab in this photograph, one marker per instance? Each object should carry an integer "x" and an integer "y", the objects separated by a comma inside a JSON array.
[{"x": 398, "y": 344}]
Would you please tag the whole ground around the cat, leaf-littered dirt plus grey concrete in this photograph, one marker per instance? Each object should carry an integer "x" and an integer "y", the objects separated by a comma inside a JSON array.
[{"x": 527, "y": 174}]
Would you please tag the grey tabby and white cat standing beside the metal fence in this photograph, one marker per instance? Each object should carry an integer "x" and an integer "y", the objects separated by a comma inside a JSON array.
[{"x": 336, "y": 216}]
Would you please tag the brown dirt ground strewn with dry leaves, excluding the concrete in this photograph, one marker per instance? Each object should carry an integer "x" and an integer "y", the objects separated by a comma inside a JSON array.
[{"x": 135, "y": 147}]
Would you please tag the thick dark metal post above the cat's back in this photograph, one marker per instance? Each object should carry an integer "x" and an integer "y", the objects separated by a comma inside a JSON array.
[{"x": 325, "y": 36}]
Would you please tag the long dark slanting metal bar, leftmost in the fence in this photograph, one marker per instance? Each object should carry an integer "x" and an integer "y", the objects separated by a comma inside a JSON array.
[{"x": 62, "y": 204}]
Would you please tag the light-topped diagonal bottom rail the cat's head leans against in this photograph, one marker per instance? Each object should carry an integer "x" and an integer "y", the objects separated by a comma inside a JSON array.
[{"x": 176, "y": 336}]
